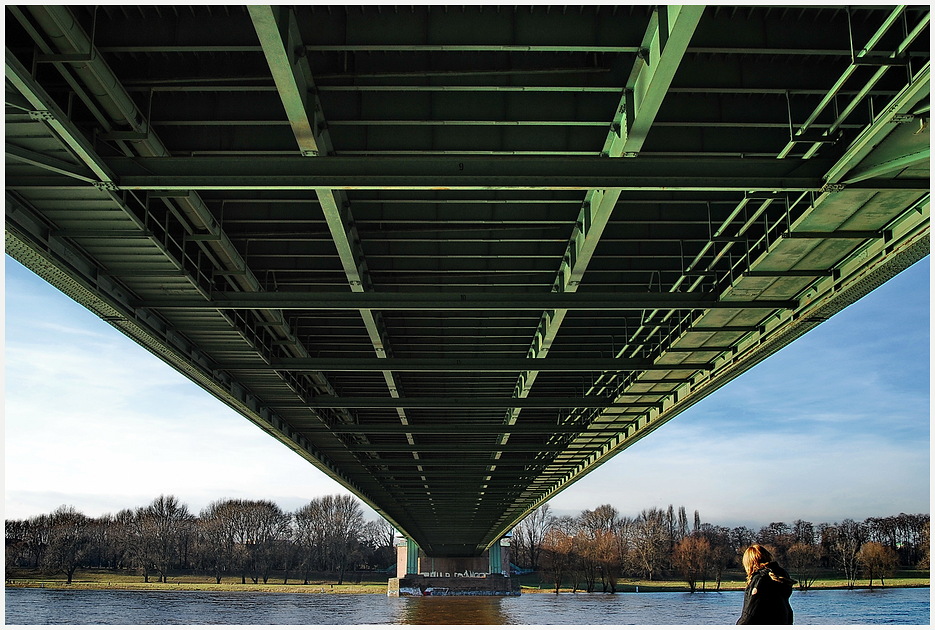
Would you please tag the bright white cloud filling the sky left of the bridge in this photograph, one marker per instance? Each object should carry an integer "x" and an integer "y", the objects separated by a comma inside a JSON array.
[{"x": 93, "y": 420}]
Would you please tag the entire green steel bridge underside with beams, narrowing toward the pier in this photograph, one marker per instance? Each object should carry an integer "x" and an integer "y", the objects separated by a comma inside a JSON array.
[{"x": 459, "y": 257}]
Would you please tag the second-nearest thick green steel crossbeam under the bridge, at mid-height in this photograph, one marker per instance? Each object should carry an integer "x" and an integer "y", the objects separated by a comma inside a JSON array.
[{"x": 450, "y": 301}]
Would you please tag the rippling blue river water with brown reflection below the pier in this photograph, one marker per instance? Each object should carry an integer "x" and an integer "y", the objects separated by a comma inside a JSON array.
[{"x": 35, "y": 606}]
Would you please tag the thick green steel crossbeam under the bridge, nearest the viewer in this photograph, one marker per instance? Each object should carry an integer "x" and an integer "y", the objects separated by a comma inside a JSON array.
[{"x": 463, "y": 173}]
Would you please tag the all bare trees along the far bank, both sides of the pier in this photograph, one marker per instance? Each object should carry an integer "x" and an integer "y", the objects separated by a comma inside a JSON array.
[{"x": 253, "y": 539}]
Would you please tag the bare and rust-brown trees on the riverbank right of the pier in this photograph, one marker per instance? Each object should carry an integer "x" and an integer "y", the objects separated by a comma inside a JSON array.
[{"x": 598, "y": 547}]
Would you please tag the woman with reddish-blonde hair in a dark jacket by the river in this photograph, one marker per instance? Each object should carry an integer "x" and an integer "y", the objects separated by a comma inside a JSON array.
[{"x": 766, "y": 598}]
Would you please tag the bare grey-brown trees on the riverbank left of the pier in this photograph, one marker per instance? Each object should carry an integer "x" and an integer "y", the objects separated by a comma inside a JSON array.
[{"x": 230, "y": 537}]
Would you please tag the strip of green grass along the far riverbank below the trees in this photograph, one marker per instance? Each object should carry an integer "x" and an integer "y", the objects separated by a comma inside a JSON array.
[{"x": 376, "y": 583}]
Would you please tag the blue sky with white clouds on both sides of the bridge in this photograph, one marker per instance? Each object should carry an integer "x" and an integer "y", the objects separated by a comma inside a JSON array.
[{"x": 836, "y": 425}]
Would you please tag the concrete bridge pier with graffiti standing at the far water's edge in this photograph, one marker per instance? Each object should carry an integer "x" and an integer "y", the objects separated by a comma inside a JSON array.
[{"x": 419, "y": 575}]
